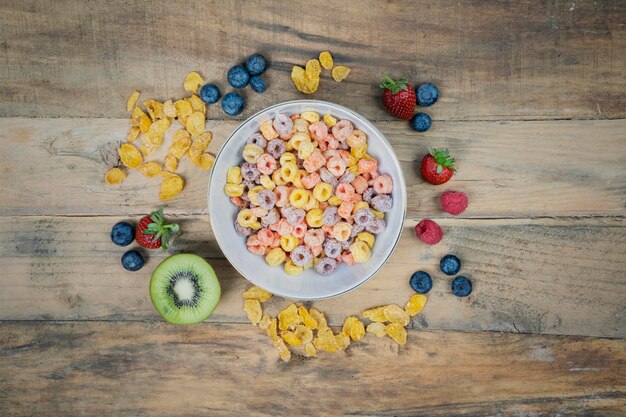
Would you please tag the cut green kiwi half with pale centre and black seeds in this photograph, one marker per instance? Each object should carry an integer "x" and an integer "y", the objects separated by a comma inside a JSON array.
[{"x": 184, "y": 289}]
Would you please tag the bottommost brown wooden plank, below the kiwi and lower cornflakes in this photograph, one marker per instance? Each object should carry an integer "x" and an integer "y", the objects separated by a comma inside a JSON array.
[{"x": 130, "y": 369}]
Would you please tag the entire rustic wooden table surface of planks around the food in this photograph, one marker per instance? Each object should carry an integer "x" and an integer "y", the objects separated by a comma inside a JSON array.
[{"x": 532, "y": 105}]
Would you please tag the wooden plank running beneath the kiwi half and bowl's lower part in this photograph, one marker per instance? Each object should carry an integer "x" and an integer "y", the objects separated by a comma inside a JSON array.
[{"x": 529, "y": 276}]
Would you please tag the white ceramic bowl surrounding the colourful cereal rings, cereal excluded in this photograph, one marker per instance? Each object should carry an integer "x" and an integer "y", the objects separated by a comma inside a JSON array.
[{"x": 309, "y": 285}]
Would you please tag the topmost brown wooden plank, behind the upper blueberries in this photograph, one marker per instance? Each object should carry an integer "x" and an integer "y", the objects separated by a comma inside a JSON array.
[{"x": 502, "y": 60}]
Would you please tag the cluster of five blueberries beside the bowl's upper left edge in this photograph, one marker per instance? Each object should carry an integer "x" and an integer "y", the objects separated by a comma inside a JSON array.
[{"x": 238, "y": 76}]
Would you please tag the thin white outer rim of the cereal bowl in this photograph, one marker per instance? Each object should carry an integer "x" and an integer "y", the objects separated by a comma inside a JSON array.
[{"x": 358, "y": 117}]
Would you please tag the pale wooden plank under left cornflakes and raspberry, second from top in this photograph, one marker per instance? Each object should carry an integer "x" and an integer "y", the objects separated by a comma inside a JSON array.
[{"x": 516, "y": 169}]
